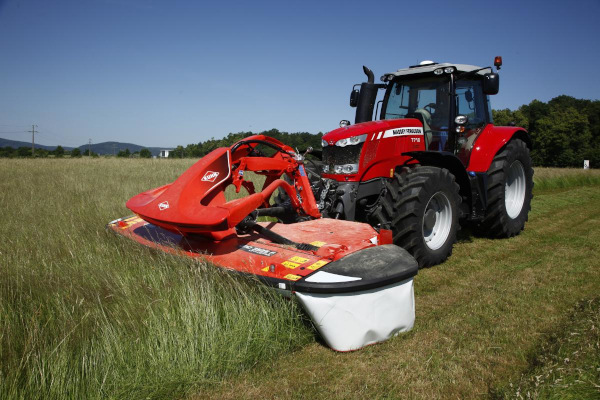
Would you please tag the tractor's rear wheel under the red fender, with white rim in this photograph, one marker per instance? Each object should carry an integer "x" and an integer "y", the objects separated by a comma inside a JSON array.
[{"x": 510, "y": 186}]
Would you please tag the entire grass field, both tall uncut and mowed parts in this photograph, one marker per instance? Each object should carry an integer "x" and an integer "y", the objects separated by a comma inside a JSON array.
[{"x": 84, "y": 314}]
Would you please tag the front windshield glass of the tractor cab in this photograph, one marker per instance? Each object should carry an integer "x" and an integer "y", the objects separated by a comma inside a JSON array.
[{"x": 426, "y": 99}]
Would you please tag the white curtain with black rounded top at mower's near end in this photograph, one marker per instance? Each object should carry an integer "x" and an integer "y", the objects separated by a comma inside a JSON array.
[{"x": 364, "y": 298}]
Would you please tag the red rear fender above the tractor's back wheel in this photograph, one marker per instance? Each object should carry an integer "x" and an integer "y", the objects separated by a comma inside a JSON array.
[{"x": 489, "y": 143}]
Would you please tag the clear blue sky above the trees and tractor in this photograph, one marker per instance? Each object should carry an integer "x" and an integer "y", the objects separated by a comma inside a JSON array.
[{"x": 162, "y": 73}]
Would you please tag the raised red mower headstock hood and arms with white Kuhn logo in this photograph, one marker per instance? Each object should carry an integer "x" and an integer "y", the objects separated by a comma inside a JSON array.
[{"x": 195, "y": 203}]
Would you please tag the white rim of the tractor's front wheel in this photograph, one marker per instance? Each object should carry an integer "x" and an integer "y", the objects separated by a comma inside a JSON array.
[{"x": 437, "y": 221}]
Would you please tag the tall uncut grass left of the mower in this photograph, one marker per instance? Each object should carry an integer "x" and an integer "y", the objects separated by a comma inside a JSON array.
[{"x": 86, "y": 314}]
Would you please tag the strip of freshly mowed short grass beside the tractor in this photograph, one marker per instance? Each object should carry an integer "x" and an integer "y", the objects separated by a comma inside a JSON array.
[{"x": 480, "y": 316}]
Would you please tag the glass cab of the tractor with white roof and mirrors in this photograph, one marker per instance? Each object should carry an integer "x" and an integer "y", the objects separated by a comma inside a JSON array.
[{"x": 450, "y": 100}]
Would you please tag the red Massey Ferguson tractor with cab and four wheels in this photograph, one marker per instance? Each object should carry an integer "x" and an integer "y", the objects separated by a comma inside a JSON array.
[{"x": 434, "y": 159}]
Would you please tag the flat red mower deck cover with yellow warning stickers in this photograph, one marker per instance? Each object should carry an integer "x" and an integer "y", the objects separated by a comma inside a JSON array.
[{"x": 337, "y": 239}]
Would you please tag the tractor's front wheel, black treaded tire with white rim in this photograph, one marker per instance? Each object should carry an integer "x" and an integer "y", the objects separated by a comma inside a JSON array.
[{"x": 422, "y": 208}]
